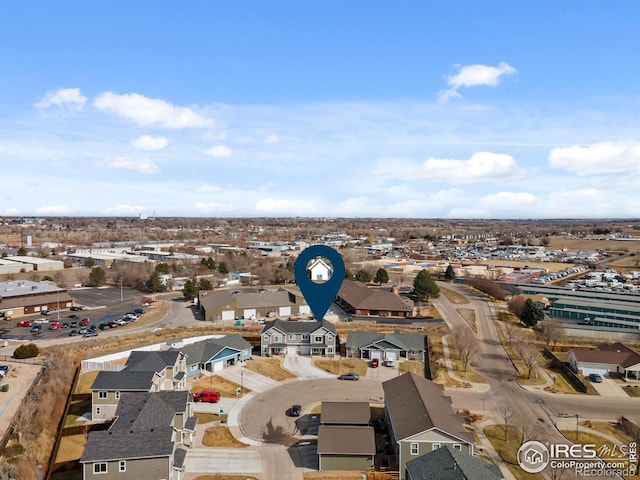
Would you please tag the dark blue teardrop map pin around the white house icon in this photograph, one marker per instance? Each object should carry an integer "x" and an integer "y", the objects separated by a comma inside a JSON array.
[{"x": 319, "y": 295}]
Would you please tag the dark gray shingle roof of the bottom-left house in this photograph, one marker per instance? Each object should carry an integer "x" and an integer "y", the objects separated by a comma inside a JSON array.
[{"x": 143, "y": 428}]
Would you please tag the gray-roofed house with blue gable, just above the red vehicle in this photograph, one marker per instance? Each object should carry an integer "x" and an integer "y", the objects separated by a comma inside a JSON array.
[{"x": 214, "y": 354}]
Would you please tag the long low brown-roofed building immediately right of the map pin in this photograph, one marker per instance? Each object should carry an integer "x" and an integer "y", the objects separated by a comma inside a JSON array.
[{"x": 358, "y": 299}]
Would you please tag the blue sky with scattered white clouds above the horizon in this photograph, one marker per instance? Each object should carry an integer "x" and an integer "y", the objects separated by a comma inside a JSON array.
[{"x": 426, "y": 109}]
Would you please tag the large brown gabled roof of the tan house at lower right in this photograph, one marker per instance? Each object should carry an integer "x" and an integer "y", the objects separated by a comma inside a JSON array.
[{"x": 416, "y": 405}]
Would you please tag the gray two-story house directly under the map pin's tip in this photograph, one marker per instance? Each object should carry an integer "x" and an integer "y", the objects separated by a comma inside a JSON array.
[{"x": 281, "y": 337}]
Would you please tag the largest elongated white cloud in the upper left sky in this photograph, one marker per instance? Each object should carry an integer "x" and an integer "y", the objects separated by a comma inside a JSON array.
[{"x": 151, "y": 111}]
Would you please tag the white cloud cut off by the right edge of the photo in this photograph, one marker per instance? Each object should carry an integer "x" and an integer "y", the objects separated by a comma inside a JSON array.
[{"x": 599, "y": 158}]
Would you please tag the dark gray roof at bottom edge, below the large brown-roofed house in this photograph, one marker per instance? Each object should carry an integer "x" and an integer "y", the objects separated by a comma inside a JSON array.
[{"x": 449, "y": 464}]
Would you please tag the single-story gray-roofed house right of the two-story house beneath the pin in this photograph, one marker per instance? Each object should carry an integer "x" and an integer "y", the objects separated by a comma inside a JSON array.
[{"x": 385, "y": 346}]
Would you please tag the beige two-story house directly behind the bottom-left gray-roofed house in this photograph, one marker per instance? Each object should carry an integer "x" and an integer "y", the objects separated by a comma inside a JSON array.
[{"x": 144, "y": 372}]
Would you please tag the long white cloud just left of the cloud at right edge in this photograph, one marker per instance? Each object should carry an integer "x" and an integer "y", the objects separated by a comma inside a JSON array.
[{"x": 481, "y": 167}]
